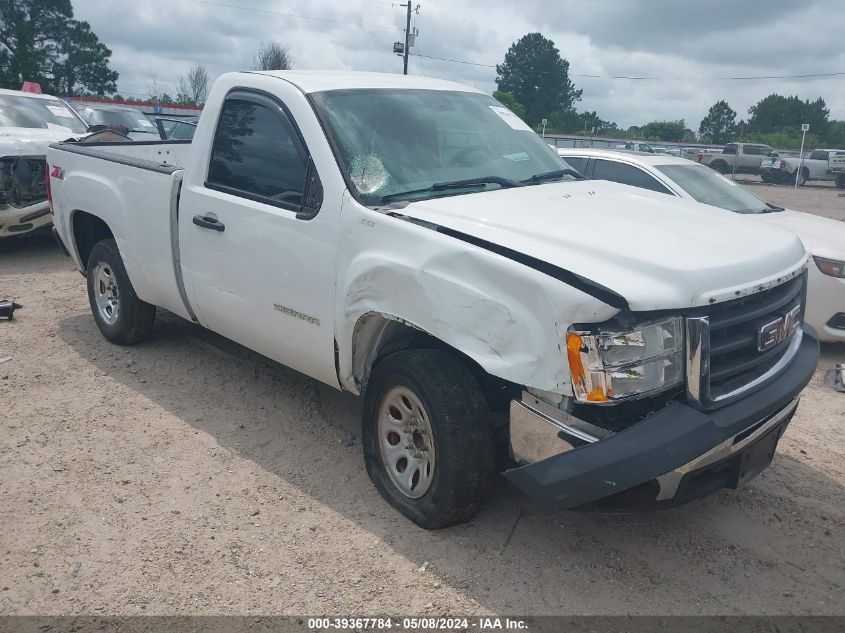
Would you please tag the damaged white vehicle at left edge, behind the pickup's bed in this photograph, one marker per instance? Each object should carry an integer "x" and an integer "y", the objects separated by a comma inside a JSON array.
[{"x": 28, "y": 124}]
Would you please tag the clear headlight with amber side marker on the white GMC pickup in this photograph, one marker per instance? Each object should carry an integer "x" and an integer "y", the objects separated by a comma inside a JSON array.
[{"x": 608, "y": 366}]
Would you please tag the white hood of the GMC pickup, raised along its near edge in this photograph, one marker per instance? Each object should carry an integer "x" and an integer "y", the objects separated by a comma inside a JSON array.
[{"x": 656, "y": 251}]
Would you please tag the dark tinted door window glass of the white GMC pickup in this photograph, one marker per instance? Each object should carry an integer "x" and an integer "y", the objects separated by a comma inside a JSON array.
[{"x": 256, "y": 153}]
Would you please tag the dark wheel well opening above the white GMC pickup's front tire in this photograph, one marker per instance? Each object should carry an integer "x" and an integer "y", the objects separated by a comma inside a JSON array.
[{"x": 377, "y": 336}]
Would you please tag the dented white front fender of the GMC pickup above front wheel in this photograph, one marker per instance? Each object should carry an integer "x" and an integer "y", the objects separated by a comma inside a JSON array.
[{"x": 506, "y": 316}]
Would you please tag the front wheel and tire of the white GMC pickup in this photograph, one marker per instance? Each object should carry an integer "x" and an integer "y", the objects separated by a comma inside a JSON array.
[{"x": 428, "y": 441}]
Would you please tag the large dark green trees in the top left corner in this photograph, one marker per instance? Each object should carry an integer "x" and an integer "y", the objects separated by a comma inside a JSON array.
[{"x": 40, "y": 41}]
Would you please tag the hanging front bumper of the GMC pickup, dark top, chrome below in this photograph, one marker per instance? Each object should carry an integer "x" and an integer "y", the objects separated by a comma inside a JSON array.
[{"x": 672, "y": 456}]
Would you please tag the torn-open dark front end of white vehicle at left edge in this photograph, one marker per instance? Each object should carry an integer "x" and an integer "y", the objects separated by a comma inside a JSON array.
[{"x": 23, "y": 195}]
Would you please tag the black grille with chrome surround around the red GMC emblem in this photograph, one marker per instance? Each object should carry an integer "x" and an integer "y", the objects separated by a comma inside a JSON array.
[{"x": 724, "y": 360}]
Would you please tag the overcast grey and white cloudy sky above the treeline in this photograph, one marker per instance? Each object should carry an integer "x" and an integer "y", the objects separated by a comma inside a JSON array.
[{"x": 160, "y": 39}]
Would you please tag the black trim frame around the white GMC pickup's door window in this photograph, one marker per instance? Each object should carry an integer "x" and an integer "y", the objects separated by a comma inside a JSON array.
[{"x": 275, "y": 105}]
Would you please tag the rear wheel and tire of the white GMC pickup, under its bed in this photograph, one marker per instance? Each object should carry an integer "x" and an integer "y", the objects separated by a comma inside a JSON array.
[{"x": 121, "y": 316}]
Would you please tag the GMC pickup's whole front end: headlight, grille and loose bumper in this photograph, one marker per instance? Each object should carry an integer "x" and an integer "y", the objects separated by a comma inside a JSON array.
[{"x": 687, "y": 430}]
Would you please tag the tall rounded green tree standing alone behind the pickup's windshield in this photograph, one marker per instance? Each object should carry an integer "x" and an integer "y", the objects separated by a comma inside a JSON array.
[{"x": 537, "y": 77}]
